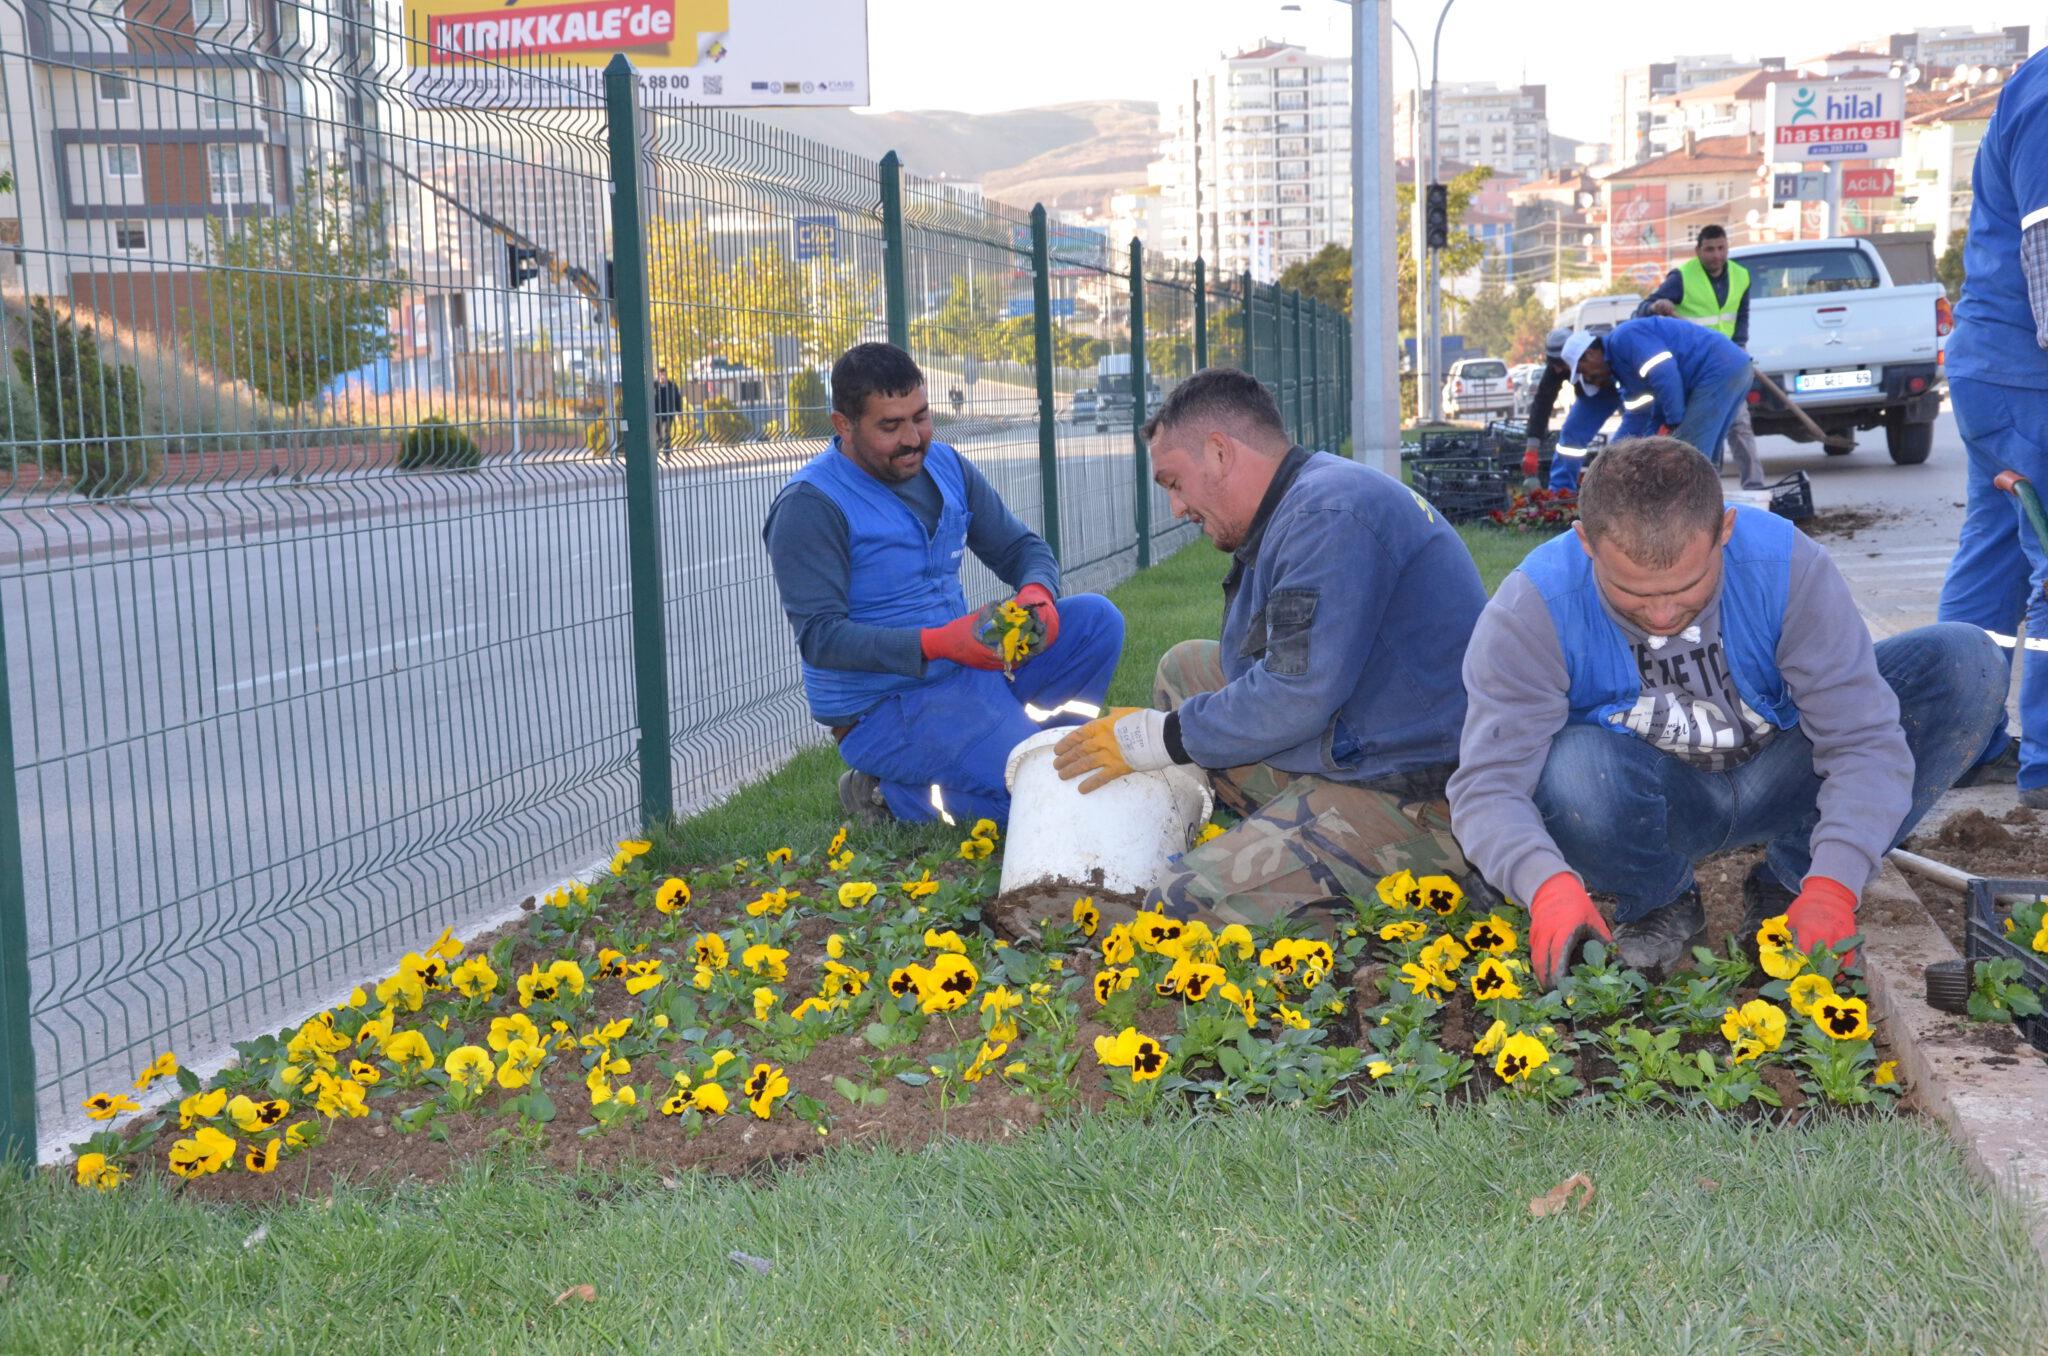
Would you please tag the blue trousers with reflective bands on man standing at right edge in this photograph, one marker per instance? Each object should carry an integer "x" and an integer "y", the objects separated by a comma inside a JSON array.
[{"x": 2000, "y": 575}]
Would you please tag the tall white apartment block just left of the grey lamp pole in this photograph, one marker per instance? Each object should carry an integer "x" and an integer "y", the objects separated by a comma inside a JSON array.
[{"x": 1265, "y": 142}]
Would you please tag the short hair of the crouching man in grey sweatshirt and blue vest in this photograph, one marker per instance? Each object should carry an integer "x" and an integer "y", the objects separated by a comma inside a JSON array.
[{"x": 1652, "y": 499}]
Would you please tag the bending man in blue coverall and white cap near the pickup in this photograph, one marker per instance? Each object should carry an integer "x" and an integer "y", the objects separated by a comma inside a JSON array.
[{"x": 1664, "y": 376}]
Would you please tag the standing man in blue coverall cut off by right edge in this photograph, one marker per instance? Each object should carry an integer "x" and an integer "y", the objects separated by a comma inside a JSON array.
[{"x": 1998, "y": 382}]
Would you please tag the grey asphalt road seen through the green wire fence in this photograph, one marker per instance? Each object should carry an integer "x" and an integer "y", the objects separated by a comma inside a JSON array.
[{"x": 271, "y": 736}]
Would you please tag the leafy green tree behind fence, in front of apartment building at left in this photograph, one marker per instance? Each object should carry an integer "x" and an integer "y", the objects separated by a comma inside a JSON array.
[{"x": 300, "y": 296}]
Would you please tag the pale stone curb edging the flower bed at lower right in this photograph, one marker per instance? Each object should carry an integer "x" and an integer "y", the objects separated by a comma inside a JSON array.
[{"x": 1994, "y": 1113}]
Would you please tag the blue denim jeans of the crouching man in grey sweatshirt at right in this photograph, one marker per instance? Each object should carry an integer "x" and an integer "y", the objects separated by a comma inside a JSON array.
[{"x": 1633, "y": 820}]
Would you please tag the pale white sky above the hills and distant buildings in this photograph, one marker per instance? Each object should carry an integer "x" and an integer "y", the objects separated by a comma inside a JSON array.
[{"x": 982, "y": 56}]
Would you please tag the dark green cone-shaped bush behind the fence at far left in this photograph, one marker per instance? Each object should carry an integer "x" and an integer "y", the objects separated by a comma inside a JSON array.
[{"x": 87, "y": 411}]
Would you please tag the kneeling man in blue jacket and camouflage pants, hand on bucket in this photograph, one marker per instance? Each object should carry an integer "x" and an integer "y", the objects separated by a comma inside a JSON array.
[{"x": 1328, "y": 718}]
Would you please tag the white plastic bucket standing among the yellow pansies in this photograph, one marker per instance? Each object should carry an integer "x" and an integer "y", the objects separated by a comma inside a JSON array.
[{"x": 1125, "y": 831}]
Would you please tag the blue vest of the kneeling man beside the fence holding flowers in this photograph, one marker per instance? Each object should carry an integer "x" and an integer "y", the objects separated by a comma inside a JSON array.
[{"x": 902, "y": 577}]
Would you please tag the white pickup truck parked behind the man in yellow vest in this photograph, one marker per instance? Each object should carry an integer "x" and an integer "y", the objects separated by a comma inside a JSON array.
[{"x": 1852, "y": 347}]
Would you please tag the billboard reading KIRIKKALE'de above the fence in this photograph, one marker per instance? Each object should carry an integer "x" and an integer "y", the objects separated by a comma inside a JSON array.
[{"x": 542, "y": 54}]
